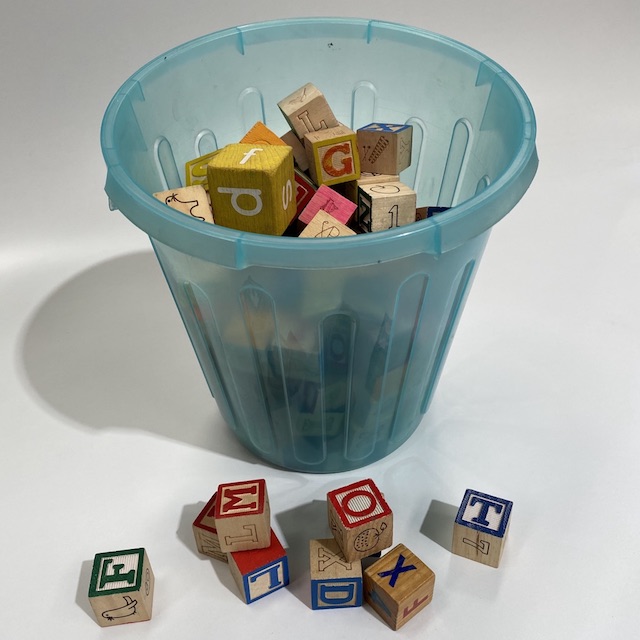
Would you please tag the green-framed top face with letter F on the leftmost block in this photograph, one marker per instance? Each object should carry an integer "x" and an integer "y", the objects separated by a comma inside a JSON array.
[{"x": 116, "y": 572}]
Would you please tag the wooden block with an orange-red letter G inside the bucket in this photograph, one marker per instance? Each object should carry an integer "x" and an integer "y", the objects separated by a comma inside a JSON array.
[{"x": 333, "y": 155}]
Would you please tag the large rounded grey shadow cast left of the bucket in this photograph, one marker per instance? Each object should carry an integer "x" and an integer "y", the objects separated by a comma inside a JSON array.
[{"x": 107, "y": 349}]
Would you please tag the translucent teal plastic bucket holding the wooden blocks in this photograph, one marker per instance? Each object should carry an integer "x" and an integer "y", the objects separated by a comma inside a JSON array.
[{"x": 323, "y": 355}]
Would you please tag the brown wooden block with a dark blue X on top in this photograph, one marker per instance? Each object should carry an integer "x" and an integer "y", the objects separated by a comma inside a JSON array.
[{"x": 398, "y": 586}]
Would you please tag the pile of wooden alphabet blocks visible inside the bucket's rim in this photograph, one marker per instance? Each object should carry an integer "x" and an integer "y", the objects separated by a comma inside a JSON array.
[{"x": 319, "y": 180}]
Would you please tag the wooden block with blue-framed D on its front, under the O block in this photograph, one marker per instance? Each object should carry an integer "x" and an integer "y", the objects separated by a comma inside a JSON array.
[{"x": 335, "y": 583}]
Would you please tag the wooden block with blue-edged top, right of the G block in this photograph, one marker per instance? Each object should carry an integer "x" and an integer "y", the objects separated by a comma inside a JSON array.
[{"x": 385, "y": 148}]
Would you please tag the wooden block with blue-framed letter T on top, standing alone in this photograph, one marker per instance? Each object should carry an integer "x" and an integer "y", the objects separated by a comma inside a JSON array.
[{"x": 481, "y": 527}]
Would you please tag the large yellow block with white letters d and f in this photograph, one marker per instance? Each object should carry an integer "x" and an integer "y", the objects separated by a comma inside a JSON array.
[{"x": 252, "y": 187}]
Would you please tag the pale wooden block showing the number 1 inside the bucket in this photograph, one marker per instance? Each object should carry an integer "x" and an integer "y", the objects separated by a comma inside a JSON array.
[{"x": 385, "y": 205}]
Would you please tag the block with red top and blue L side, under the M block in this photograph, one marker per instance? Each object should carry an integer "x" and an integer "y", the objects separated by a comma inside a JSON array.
[{"x": 260, "y": 572}]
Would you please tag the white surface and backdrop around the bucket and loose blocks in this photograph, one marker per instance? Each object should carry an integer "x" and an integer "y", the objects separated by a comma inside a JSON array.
[{"x": 110, "y": 440}]
